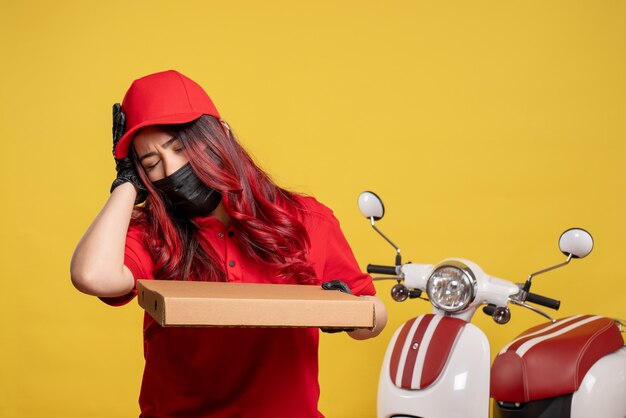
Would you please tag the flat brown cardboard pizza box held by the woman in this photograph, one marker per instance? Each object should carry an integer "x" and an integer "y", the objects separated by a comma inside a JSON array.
[{"x": 182, "y": 303}]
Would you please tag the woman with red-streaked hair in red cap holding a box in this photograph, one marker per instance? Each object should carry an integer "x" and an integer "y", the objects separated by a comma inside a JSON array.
[{"x": 210, "y": 214}]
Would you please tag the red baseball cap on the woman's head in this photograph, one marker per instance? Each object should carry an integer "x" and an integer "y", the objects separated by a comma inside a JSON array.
[{"x": 163, "y": 98}]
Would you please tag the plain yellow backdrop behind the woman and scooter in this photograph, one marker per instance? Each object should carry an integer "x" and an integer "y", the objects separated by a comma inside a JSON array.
[{"x": 488, "y": 127}]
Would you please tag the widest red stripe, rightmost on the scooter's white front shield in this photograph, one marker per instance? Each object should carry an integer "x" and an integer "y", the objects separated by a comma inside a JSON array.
[{"x": 439, "y": 349}]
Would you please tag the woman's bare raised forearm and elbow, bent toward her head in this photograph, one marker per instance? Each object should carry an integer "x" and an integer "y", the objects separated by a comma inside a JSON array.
[{"x": 97, "y": 266}]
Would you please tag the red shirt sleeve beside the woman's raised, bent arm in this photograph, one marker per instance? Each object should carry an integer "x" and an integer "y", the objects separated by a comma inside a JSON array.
[{"x": 137, "y": 260}]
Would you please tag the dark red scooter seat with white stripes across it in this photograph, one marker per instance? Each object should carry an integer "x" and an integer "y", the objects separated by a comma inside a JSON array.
[{"x": 552, "y": 359}]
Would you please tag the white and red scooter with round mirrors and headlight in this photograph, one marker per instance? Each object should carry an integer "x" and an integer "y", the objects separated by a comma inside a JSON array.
[{"x": 438, "y": 364}]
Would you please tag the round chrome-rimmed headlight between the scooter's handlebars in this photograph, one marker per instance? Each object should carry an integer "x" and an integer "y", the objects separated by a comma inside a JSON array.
[{"x": 452, "y": 286}]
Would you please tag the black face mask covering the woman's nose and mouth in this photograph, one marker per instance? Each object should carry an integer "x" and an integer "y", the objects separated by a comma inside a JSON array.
[{"x": 187, "y": 193}]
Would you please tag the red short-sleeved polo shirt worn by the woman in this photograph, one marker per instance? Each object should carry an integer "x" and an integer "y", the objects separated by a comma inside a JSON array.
[{"x": 240, "y": 372}]
